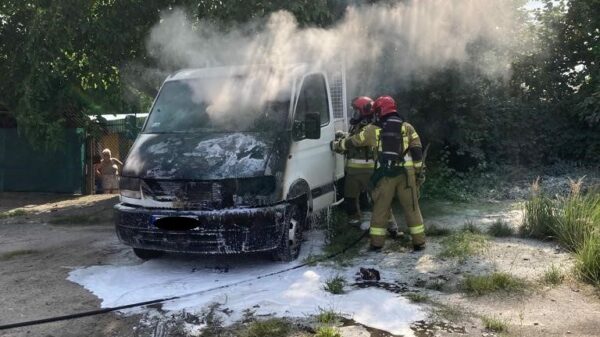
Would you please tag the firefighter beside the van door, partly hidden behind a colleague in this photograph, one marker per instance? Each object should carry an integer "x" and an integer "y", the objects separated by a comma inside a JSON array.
[{"x": 360, "y": 164}]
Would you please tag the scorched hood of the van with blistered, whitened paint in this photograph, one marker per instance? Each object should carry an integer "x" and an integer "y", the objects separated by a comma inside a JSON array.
[{"x": 208, "y": 156}]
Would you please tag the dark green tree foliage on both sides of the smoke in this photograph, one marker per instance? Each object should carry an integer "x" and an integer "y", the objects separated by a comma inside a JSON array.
[{"x": 62, "y": 60}]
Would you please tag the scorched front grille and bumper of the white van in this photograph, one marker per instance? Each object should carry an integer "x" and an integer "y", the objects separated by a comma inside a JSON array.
[{"x": 200, "y": 217}]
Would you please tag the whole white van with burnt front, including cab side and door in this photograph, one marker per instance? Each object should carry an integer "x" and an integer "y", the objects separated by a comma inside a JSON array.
[{"x": 233, "y": 160}]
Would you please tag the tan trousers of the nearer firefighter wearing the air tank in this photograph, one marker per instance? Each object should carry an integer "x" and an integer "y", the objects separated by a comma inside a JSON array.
[{"x": 404, "y": 188}]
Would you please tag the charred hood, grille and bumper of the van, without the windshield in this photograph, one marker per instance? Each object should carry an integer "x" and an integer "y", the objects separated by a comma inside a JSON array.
[{"x": 225, "y": 191}]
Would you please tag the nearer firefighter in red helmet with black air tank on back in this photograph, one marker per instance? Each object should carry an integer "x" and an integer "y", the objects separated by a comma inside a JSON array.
[{"x": 399, "y": 170}]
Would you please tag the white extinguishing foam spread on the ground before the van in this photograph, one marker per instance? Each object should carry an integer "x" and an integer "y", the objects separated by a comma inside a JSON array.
[{"x": 293, "y": 294}]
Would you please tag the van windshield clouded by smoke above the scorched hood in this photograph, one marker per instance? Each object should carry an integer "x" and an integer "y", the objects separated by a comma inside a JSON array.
[{"x": 216, "y": 105}]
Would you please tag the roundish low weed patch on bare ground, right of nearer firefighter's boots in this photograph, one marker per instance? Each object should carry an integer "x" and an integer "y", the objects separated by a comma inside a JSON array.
[{"x": 461, "y": 245}]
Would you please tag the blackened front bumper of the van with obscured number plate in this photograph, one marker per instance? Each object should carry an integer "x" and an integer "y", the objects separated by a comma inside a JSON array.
[{"x": 228, "y": 231}]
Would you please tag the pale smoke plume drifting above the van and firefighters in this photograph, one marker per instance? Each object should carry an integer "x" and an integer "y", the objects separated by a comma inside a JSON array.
[{"x": 378, "y": 43}]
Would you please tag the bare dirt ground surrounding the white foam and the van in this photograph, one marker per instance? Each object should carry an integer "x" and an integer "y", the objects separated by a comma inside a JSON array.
[{"x": 59, "y": 235}]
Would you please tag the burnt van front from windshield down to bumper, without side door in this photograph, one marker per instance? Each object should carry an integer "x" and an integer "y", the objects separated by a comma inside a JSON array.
[{"x": 203, "y": 179}]
